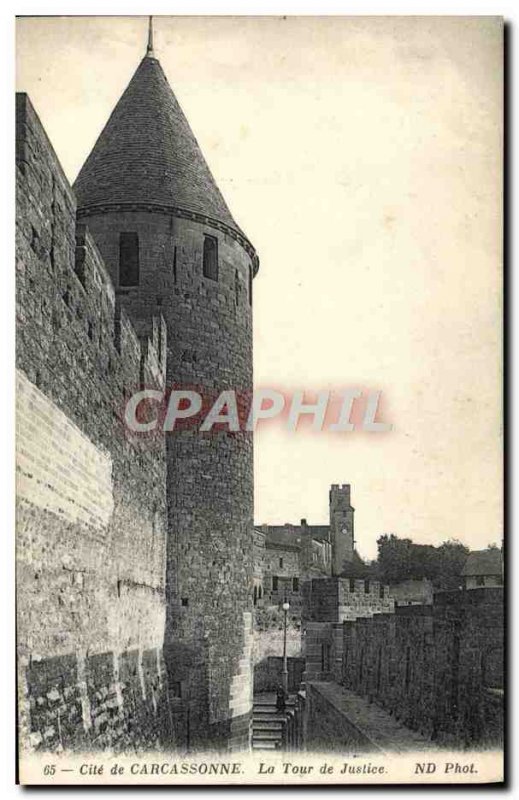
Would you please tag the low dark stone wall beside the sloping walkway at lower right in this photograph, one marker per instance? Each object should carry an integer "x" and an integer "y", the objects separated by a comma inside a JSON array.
[{"x": 438, "y": 669}]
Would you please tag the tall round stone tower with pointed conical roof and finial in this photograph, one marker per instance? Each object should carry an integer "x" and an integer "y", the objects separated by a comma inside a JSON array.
[{"x": 172, "y": 246}]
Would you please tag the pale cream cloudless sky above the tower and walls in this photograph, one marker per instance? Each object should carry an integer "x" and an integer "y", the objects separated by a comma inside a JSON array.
[{"x": 362, "y": 156}]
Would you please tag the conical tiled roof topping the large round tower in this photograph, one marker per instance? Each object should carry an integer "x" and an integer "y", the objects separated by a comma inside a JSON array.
[{"x": 148, "y": 154}]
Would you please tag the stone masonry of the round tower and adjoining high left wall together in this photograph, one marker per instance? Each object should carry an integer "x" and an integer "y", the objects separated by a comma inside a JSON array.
[{"x": 135, "y": 553}]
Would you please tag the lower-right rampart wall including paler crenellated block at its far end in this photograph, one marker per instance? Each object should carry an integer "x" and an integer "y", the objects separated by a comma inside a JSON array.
[{"x": 438, "y": 668}]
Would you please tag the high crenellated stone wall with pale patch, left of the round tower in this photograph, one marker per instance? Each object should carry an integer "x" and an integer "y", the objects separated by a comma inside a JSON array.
[{"x": 91, "y": 510}]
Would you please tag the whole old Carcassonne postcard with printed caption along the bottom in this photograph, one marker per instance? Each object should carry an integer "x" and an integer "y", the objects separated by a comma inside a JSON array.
[{"x": 259, "y": 387}]
